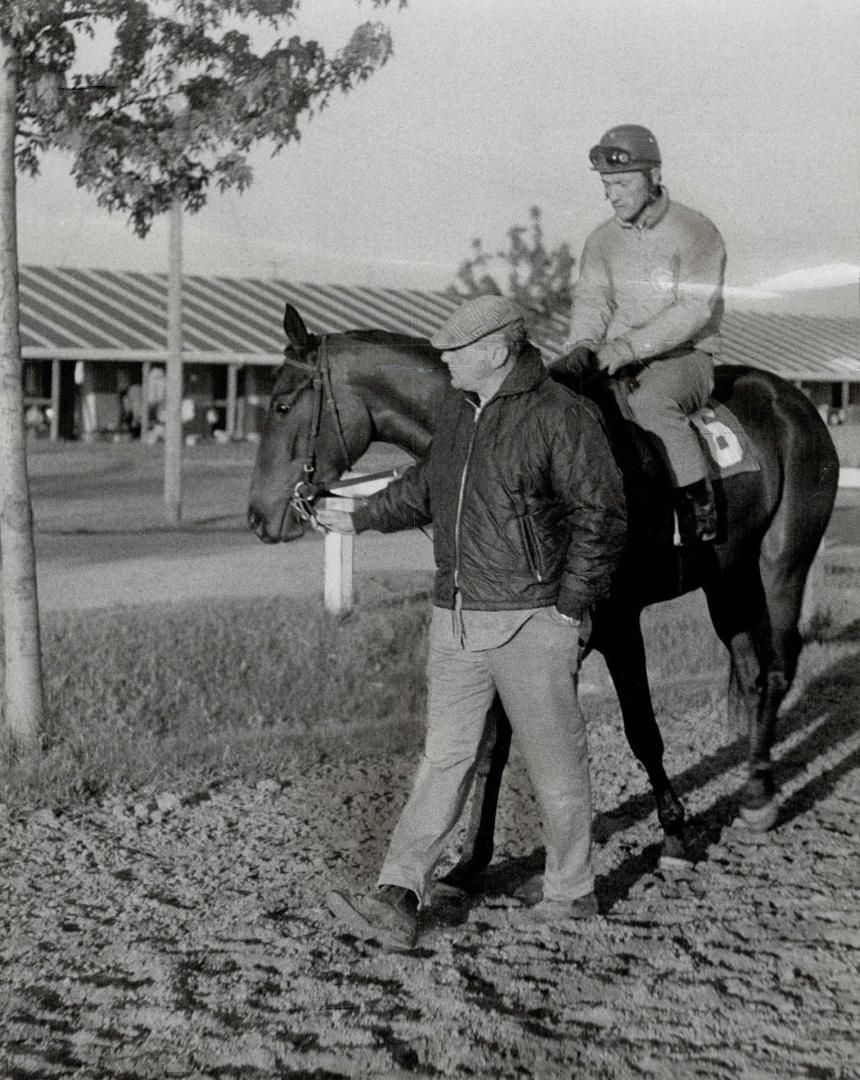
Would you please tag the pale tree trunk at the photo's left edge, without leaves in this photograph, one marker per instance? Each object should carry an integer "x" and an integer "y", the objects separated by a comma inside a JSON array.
[{"x": 23, "y": 683}]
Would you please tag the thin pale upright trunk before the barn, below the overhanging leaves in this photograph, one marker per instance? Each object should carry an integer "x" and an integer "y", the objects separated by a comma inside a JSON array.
[{"x": 173, "y": 387}]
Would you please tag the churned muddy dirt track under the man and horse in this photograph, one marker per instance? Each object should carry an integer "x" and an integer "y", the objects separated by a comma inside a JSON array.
[{"x": 183, "y": 934}]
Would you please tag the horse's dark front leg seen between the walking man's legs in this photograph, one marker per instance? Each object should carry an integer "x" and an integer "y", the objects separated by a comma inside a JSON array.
[{"x": 477, "y": 852}]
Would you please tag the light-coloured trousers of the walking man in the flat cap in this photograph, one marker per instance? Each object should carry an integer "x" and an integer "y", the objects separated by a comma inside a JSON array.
[{"x": 533, "y": 673}]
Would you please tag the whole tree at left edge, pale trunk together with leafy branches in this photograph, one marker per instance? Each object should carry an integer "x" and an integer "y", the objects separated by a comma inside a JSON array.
[{"x": 171, "y": 111}]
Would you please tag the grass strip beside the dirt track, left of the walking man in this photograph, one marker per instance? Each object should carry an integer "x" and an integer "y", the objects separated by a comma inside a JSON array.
[{"x": 151, "y": 696}]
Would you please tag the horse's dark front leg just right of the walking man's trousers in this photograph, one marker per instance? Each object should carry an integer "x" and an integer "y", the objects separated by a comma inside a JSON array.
[{"x": 619, "y": 637}]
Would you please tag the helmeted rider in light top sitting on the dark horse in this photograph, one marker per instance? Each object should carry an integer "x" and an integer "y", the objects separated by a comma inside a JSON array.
[{"x": 649, "y": 302}]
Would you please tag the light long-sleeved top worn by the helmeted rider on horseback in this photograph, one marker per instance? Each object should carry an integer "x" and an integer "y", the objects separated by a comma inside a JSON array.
[{"x": 657, "y": 285}]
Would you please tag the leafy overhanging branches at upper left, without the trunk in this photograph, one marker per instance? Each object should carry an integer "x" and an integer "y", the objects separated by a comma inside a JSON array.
[{"x": 182, "y": 98}]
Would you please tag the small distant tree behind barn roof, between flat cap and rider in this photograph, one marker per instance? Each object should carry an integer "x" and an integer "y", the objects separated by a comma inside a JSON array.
[{"x": 536, "y": 278}]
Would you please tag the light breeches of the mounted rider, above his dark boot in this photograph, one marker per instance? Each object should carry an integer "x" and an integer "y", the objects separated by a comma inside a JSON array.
[{"x": 669, "y": 390}]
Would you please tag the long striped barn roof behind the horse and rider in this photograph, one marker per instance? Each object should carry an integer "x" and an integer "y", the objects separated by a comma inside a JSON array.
[{"x": 112, "y": 315}]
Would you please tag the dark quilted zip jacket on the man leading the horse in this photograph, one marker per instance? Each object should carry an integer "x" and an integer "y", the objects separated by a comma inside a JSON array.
[{"x": 525, "y": 495}]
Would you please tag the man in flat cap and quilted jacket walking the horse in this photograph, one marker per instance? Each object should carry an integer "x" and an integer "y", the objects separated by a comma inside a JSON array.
[{"x": 529, "y": 524}]
